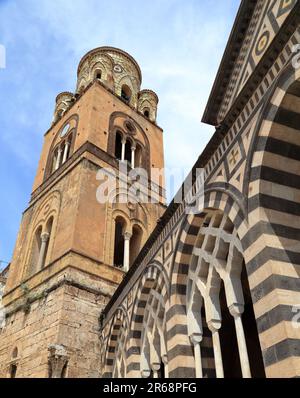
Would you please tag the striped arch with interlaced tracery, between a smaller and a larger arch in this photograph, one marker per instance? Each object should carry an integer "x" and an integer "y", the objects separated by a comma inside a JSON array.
[{"x": 146, "y": 336}]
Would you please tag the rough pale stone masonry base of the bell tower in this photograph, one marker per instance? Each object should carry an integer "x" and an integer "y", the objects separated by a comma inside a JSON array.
[{"x": 67, "y": 316}]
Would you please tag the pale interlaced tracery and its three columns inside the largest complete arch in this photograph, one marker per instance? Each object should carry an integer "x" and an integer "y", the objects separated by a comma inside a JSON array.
[{"x": 217, "y": 257}]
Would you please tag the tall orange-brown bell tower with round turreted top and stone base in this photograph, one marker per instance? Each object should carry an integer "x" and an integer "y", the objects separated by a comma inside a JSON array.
[{"x": 73, "y": 250}]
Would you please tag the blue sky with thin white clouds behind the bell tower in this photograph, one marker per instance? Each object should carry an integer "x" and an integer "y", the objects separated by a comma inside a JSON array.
[{"x": 177, "y": 43}]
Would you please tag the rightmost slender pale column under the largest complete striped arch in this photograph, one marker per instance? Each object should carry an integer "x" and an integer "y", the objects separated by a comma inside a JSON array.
[{"x": 236, "y": 311}]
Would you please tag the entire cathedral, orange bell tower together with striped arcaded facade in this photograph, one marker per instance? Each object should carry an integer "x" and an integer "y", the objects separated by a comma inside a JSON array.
[{"x": 207, "y": 287}]
